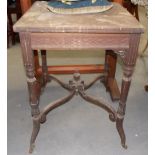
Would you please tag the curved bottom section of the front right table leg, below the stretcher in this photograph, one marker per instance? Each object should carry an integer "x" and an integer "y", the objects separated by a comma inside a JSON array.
[{"x": 119, "y": 126}]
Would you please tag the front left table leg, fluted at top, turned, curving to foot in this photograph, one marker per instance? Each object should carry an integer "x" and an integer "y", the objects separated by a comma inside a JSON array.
[{"x": 33, "y": 84}]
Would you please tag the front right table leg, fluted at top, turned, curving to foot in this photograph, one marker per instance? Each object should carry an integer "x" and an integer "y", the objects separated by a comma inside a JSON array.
[{"x": 129, "y": 60}]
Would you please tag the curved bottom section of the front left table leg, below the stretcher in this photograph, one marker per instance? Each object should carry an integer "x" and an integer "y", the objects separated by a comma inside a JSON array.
[{"x": 36, "y": 128}]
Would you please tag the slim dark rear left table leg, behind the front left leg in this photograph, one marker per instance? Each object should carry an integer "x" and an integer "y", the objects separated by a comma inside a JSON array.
[{"x": 44, "y": 67}]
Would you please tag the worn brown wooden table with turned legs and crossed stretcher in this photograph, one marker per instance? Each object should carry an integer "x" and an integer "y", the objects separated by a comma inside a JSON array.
[{"x": 115, "y": 30}]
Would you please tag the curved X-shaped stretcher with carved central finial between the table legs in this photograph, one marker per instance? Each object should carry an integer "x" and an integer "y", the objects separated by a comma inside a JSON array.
[{"x": 77, "y": 87}]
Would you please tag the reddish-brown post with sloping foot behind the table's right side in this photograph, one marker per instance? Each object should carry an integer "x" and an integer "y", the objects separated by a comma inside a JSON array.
[{"x": 110, "y": 68}]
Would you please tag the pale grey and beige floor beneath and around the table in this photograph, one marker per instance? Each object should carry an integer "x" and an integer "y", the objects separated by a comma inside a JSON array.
[{"x": 76, "y": 128}]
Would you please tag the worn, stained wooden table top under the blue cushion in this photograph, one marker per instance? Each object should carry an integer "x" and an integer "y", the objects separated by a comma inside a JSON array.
[{"x": 39, "y": 19}]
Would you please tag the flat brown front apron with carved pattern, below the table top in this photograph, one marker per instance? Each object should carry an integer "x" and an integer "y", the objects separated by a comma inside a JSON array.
[{"x": 77, "y": 41}]
